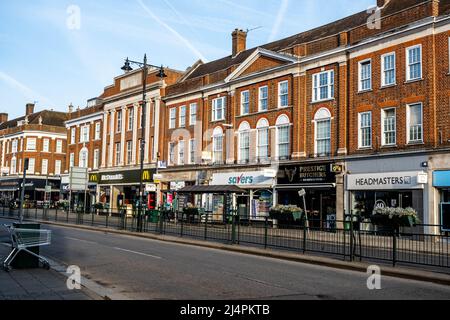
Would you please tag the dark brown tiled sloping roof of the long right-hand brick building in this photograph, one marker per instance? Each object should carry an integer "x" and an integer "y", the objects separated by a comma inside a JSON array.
[{"x": 330, "y": 29}]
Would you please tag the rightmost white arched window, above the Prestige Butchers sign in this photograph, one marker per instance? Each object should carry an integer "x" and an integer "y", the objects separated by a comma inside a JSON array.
[{"x": 322, "y": 133}]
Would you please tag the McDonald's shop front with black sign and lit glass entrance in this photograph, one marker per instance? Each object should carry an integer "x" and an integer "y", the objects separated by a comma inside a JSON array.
[{"x": 120, "y": 189}]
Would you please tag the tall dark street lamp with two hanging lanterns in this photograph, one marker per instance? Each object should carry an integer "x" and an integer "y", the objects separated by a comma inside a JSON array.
[{"x": 161, "y": 74}]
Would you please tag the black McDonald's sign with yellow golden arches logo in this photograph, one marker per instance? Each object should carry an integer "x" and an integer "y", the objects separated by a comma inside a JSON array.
[{"x": 122, "y": 177}]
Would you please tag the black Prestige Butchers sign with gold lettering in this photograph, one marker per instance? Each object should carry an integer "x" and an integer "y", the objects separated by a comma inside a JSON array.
[{"x": 306, "y": 174}]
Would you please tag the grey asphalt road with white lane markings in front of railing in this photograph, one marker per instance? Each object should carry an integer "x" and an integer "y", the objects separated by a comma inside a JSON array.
[{"x": 137, "y": 268}]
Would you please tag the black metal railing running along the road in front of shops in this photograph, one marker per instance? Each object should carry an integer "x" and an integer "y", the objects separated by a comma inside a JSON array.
[{"x": 349, "y": 241}]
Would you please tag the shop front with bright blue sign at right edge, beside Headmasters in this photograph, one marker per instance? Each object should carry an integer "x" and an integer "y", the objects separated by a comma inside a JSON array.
[{"x": 441, "y": 182}]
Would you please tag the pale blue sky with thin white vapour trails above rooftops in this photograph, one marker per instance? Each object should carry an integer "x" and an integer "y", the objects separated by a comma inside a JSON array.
[{"x": 43, "y": 60}]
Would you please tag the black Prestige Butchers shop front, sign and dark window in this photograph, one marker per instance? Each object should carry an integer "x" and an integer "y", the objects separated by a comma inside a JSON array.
[{"x": 319, "y": 183}]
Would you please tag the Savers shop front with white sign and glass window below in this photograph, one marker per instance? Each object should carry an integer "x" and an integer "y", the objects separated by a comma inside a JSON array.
[{"x": 256, "y": 203}]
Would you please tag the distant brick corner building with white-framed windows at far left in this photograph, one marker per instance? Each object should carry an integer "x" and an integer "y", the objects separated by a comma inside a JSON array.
[{"x": 41, "y": 138}]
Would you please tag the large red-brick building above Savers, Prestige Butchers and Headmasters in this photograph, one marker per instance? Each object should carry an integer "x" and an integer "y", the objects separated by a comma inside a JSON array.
[{"x": 368, "y": 92}]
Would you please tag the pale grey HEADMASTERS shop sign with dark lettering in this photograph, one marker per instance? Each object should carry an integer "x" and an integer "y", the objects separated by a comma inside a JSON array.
[{"x": 386, "y": 181}]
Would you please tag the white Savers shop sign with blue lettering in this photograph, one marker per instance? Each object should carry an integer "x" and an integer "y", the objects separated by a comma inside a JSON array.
[{"x": 242, "y": 179}]
